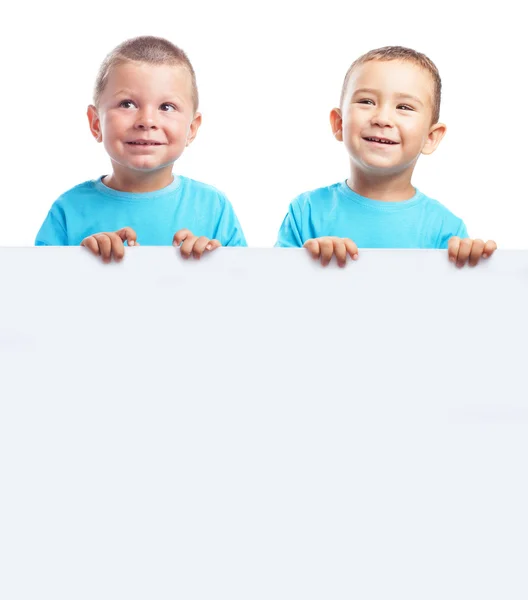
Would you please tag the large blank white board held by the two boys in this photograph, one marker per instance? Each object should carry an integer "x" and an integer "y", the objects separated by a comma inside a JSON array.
[{"x": 253, "y": 426}]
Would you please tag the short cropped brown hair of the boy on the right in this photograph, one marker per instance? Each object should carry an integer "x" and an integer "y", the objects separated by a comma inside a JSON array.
[{"x": 405, "y": 54}]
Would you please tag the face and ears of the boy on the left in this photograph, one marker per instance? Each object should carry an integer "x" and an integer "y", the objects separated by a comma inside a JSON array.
[{"x": 145, "y": 116}]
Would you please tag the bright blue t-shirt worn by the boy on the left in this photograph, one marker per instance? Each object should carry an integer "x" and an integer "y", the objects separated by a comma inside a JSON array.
[{"x": 92, "y": 207}]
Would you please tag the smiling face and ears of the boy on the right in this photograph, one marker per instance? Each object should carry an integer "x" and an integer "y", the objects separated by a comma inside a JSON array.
[{"x": 385, "y": 120}]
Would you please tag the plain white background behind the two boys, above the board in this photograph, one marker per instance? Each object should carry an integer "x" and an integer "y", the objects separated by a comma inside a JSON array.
[{"x": 268, "y": 75}]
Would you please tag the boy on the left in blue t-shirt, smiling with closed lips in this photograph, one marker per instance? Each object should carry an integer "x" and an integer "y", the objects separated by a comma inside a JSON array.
[{"x": 145, "y": 113}]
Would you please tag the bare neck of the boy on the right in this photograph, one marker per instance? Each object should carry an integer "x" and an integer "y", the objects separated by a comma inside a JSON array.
[{"x": 393, "y": 188}]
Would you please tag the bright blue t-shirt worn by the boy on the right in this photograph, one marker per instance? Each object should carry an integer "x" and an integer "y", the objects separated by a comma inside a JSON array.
[{"x": 336, "y": 210}]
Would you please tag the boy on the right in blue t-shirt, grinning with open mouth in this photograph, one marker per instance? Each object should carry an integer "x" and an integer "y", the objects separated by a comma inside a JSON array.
[{"x": 388, "y": 115}]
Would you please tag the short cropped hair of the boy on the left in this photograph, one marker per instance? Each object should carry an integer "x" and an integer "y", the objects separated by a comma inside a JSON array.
[{"x": 144, "y": 49}]
